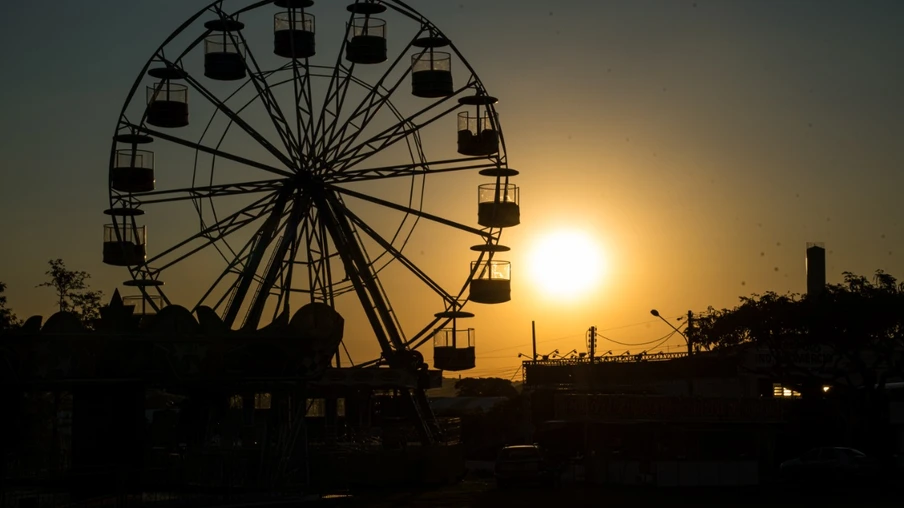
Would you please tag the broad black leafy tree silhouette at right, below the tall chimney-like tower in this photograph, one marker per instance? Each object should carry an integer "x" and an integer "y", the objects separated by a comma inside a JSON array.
[{"x": 861, "y": 320}]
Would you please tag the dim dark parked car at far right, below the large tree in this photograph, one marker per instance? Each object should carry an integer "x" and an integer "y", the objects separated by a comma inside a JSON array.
[{"x": 830, "y": 463}]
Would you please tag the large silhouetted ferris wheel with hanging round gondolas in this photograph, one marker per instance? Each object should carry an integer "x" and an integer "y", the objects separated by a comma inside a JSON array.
[{"x": 281, "y": 163}]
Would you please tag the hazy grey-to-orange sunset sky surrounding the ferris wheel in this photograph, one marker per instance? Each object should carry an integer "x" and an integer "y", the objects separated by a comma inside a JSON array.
[{"x": 701, "y": 144}]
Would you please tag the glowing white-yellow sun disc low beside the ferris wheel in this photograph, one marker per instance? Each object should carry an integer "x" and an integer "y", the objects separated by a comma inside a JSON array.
[{"x": 566, "y": 264}]
